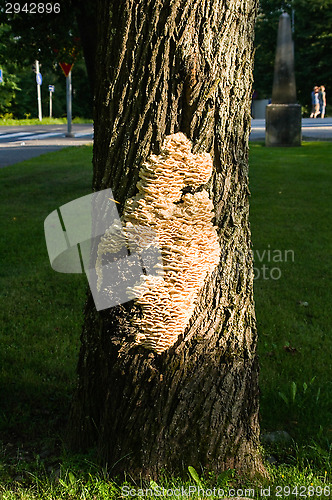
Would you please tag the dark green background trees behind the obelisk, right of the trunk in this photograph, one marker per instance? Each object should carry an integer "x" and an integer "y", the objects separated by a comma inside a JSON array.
[{"x": 312, "y": 40}]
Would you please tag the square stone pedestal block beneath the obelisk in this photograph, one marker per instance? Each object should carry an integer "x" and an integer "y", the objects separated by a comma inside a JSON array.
[{"x": 283, "y": 125}]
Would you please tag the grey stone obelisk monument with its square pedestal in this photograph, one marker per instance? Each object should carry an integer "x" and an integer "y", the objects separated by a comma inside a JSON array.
[{"x": 283, "y": 116}]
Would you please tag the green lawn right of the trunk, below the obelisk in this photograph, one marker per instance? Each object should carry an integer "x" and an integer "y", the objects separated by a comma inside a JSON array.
[{"x": 291, "y": 213}]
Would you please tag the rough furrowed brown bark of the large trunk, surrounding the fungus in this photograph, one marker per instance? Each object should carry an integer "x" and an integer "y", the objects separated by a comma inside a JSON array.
[{"x": 164, "y": 67}]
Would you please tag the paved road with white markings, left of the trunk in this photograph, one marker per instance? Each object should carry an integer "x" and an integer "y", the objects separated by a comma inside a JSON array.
[{"x": 25, "y": 142}]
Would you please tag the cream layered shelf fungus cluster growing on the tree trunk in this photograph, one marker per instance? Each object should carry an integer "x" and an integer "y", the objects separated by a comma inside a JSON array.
[{"x": 180, "y": 218}]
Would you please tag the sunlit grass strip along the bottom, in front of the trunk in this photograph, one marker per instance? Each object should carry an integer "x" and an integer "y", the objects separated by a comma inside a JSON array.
[{"x": 89, "y": 482}]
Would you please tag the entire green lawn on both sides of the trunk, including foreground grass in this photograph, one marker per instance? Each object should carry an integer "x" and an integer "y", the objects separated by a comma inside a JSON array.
[{"x": 41, "y": 317}]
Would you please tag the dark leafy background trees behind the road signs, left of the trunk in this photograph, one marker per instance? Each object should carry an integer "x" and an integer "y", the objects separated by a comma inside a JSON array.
[{"x": 50, "y": 38}]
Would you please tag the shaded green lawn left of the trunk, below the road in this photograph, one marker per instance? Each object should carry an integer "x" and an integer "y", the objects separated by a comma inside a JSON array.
[{"x": 41, "y": 311}]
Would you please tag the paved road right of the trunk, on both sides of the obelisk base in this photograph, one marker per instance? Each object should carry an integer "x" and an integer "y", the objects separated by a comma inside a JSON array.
[{"x": 312, "y": 129}]
